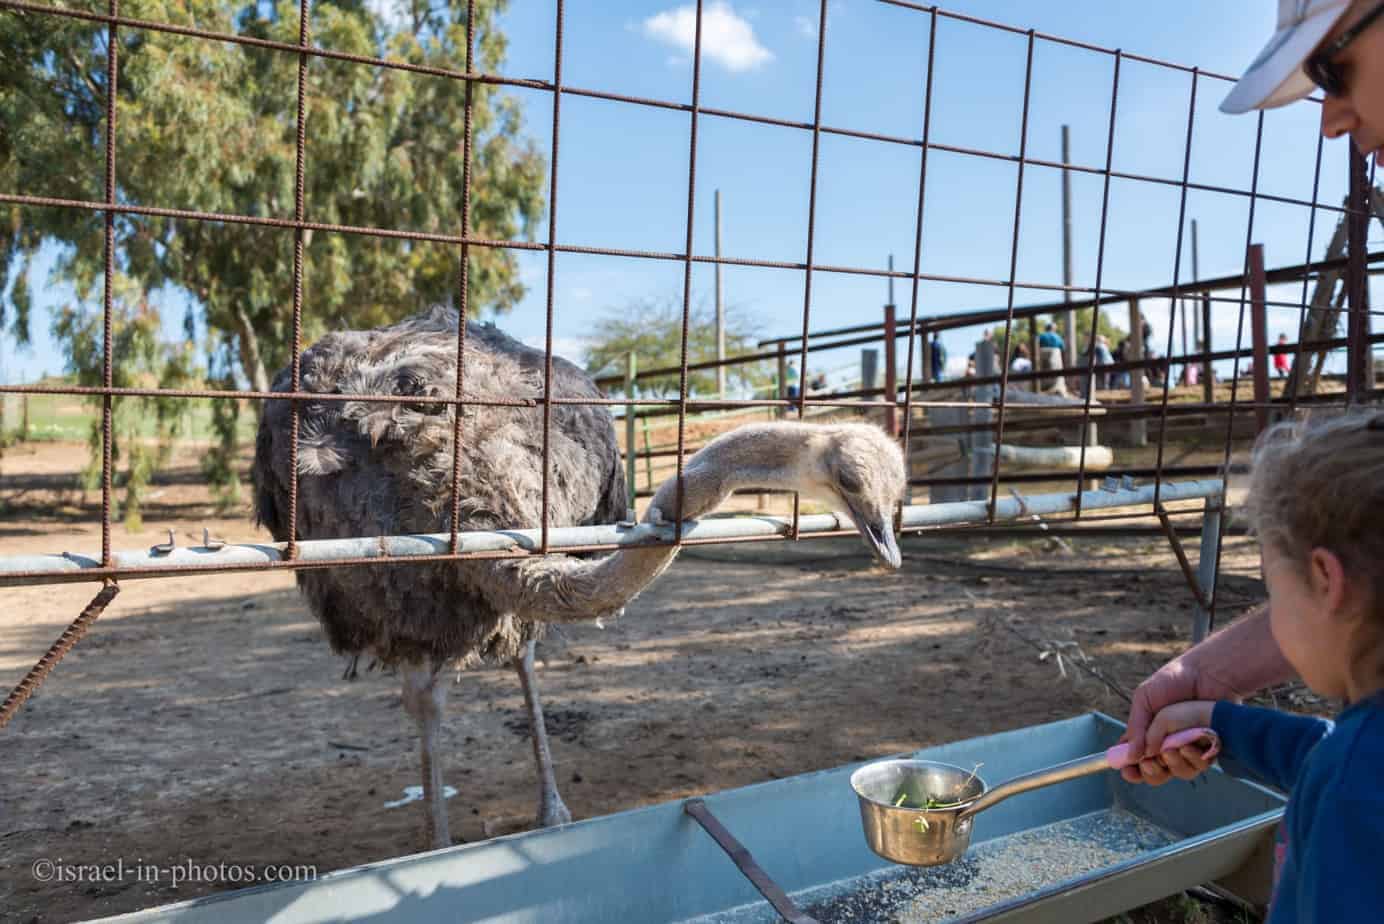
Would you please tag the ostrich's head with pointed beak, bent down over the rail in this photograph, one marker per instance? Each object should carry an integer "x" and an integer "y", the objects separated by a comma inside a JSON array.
[{"x": 863, "y": 470}]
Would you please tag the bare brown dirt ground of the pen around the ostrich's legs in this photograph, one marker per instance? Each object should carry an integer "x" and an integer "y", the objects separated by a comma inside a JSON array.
[{"x": 204, "y": 720}]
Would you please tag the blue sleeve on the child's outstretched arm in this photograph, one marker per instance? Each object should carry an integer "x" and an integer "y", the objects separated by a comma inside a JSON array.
[{"x": 1270, "y": 745}]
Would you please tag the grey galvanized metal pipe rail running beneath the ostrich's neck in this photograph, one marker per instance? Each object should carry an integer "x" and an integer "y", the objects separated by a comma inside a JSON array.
[{"x": 74, "y": 568}]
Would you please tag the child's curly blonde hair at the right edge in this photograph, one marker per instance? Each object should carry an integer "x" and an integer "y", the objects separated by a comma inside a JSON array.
[{"x": 1321, "y": 485}]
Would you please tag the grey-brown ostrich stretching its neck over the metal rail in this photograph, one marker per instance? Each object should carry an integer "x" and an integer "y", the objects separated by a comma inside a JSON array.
[{"x": 385, "y": 470}]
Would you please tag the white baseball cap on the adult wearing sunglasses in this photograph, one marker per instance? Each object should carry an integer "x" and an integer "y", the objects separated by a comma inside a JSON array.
[{"x": 1277, "y": 77}]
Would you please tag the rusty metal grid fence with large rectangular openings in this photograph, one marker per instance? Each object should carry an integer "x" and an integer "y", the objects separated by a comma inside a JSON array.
[{"x": 914, "y": 392}]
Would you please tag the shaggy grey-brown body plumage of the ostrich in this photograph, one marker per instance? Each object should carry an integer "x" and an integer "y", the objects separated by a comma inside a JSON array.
[{"x": 385, "y": 470}]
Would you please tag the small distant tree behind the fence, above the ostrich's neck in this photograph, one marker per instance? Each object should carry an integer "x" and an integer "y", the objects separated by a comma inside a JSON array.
[{"x": 653, "y": 330}]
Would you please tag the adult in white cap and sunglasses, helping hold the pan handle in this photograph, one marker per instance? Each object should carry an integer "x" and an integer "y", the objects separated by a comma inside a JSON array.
[{"x": 1338, "y": 48}]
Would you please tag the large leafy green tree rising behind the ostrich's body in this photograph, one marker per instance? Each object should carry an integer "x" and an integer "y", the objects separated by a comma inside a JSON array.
[{"x": 212, "y": 127}]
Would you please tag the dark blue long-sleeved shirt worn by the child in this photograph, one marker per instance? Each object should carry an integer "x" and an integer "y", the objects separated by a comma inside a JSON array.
[{"x": 1333, "y": 773}]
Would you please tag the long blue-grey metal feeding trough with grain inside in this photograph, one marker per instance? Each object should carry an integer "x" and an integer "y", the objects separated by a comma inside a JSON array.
[{"x": 792, "y": 850}]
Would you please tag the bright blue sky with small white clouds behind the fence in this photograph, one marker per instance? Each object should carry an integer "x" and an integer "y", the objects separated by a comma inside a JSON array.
[{"x": 623, "y": 169}]
